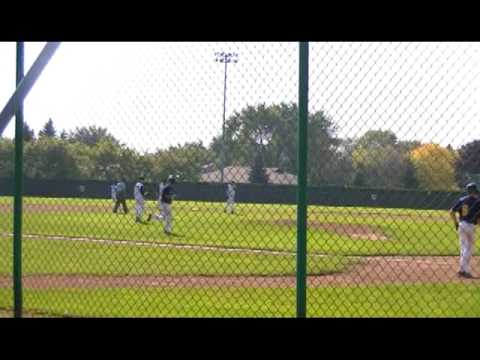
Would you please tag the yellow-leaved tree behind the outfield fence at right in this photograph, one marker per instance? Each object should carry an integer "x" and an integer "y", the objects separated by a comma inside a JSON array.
[{"x": 434, "y": 167}]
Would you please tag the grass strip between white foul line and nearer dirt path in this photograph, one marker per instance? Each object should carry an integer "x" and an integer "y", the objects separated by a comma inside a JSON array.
[{"x": 42, "y": 256}]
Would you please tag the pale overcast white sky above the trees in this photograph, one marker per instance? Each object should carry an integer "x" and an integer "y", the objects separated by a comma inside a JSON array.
[{"x": 153, "y": 95}]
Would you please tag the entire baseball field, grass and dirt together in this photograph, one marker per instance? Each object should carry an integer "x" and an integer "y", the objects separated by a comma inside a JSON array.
[{"x": 80, "y": 259}]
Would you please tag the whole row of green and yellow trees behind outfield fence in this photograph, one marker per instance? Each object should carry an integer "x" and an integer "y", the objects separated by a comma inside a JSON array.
[{"x": 259, "y": 137}]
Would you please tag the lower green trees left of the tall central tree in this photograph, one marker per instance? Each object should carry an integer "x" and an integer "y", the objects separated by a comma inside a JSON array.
[{"x": 92, "y": 153}]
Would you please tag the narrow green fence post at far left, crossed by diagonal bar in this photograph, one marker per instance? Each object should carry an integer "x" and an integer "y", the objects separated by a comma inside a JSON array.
[{"x": 17, "y": 207}]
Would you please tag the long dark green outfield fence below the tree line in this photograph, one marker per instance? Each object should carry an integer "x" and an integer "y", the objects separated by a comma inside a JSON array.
[{"x": 246, "y": 193}]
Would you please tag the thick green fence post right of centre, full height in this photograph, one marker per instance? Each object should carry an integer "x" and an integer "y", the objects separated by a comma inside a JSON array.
[{"x": 302, "y": 182}]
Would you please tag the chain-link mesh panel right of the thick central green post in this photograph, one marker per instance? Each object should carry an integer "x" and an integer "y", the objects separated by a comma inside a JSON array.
[{"x": 397, "y": 118}]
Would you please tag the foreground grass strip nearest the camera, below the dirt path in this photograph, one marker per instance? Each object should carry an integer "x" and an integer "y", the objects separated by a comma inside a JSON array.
[{"x": 364, "y": 301}]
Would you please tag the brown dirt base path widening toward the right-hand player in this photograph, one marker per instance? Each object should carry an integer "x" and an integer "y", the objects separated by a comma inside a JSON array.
[{"x": 369, "y": 270}]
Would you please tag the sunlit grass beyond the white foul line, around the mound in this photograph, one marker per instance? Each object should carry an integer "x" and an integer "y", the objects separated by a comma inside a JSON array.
[{"x": 409, "y": 232}]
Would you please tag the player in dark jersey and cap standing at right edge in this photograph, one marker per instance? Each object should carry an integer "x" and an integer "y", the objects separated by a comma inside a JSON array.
[{"x": 468, "y": 208}]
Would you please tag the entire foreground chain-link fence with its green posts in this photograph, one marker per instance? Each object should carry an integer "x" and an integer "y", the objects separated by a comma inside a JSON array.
[{"x": 312, "y": 179}]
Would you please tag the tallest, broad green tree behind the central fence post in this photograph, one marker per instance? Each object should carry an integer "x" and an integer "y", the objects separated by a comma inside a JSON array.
[{"x": 273, "y": 129}]
